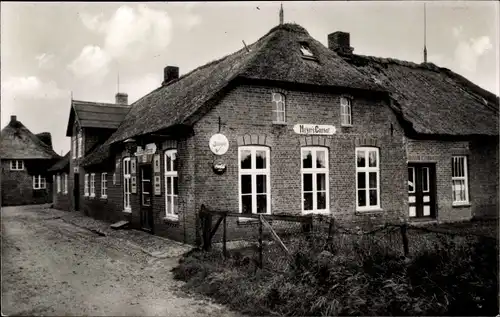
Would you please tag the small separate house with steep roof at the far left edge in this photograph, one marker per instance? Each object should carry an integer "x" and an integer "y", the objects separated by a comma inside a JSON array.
[{"x": 25, "y": 158}]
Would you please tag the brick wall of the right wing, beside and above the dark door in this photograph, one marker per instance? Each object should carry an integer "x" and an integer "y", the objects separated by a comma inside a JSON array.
[{"x": 482, "y": 172}]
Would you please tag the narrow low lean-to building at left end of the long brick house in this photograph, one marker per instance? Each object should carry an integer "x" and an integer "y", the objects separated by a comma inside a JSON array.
[{"x": 61, "y": 192}]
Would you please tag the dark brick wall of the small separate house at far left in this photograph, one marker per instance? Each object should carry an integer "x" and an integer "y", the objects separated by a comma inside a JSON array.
[{"x": 17, "y": 188}]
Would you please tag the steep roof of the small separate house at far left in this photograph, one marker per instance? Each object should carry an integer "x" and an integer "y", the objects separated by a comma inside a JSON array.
[{"x": 17, "y": 142}]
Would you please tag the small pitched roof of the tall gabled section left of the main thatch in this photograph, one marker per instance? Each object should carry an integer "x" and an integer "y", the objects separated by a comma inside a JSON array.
[{"x": 96, "y": 115}]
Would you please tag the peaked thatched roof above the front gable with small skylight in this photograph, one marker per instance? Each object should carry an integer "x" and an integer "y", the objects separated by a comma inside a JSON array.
[{"x": 276, "y": 56}]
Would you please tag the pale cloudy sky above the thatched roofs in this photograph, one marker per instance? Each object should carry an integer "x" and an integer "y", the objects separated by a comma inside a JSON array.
[{"x": 50, "y": 51}]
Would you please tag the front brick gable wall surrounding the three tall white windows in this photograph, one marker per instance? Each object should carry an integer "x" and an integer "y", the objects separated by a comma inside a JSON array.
[{"x": 246, "y": 119}]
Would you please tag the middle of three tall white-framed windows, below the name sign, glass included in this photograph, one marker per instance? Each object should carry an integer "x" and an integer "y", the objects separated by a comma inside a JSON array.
[{"x": 315, "y": 194}]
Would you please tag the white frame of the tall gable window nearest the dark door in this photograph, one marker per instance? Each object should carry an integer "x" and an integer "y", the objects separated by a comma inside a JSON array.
[{"x": 367, "y": 170}]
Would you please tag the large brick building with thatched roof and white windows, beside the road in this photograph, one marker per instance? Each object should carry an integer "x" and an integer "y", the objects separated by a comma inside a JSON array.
[{"x": 287, "y": 125}]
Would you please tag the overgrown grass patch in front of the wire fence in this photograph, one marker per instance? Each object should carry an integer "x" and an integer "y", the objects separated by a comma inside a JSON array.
[{"x": 444, "y": 276}]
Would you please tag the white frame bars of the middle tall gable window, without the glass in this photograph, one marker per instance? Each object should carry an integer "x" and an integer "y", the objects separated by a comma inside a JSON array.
[{"x": 315, "y": 171}]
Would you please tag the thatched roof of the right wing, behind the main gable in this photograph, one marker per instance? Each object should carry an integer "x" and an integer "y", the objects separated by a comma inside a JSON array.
[{"x": 433, "y": 100}]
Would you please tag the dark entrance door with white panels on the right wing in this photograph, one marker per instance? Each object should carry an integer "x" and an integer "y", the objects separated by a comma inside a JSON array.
[{"x": 421, "y": 190}]
